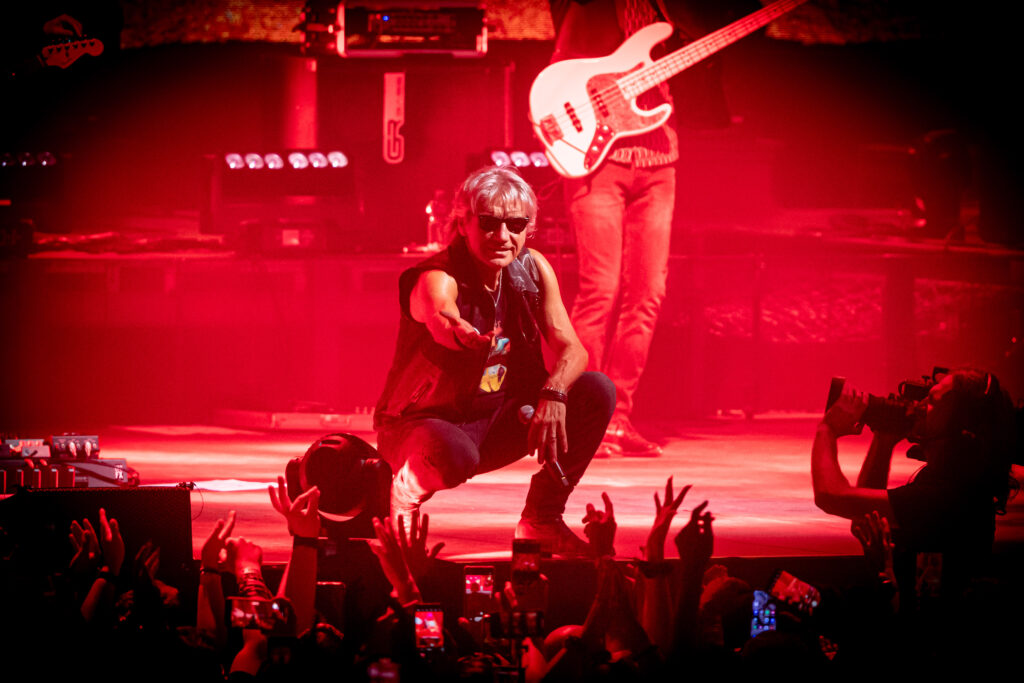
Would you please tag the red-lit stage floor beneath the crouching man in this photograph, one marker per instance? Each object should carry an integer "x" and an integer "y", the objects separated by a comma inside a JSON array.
[{"x": 756, "y": 475}]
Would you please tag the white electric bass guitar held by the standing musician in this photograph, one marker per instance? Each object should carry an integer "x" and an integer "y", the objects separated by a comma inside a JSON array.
[{"x": 579, "y": 108}]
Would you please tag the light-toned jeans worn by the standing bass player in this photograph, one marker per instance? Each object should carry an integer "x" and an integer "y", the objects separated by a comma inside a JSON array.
[{"x": 622, "y": 218}]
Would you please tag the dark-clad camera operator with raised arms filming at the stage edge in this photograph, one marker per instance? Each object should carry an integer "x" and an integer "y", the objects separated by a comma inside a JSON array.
[{"x": 965, "y": 432}]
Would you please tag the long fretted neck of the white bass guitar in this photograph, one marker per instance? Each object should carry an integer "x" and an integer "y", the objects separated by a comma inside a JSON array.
[{"x": 661, "y": 71}]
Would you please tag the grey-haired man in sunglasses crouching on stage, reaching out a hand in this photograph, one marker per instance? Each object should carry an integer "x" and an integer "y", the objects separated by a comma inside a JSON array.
[{"x": 468, "y": 367}]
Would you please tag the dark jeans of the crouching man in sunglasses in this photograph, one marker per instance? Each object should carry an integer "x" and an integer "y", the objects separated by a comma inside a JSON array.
[{"x": 438, "y": 454}]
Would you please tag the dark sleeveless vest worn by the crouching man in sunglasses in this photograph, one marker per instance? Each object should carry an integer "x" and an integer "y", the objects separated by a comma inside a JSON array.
[{"x": 431, "y": 380}]
